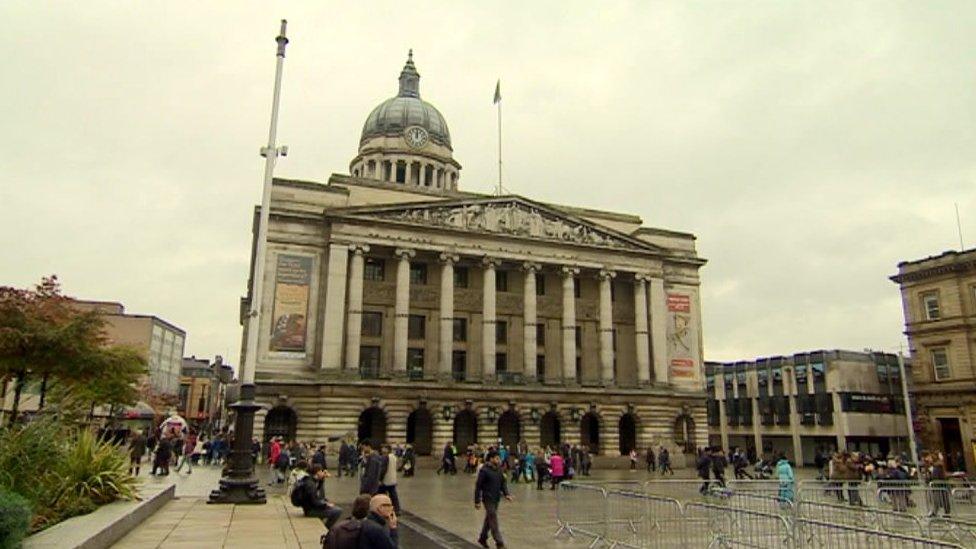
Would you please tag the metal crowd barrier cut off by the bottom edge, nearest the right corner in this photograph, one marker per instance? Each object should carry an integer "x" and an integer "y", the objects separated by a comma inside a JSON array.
[{"x": 815, "y": 533}]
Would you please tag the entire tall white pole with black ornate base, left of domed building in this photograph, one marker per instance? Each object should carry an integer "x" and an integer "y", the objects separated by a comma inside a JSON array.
[{"x": 239, "y": 484}]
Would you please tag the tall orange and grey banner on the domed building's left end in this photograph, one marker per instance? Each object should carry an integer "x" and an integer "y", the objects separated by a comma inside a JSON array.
[{"x": 293, "y": 275}]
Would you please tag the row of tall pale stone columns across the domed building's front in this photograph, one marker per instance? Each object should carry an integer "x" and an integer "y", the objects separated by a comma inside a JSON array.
[{"x": 345, "y": 270}]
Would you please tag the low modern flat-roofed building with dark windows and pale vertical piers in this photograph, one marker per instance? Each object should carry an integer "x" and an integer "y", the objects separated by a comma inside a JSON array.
[{"x": 818, "y": 401}]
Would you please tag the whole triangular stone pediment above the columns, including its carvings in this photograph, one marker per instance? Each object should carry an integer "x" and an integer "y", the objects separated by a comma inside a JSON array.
[{"x": 510, "y": 216}]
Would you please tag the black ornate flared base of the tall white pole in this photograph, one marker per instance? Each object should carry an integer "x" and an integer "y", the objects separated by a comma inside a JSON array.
[{"x": 239, "y": 484}]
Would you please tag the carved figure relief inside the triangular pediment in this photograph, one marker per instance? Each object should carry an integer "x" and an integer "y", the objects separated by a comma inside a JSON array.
[{"x": 512, "y": 218}]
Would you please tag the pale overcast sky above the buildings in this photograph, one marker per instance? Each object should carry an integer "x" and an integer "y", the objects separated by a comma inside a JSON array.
[{"x": 809, "y": 146}]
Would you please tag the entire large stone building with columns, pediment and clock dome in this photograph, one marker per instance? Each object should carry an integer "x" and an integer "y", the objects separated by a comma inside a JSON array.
[{"x": 401, "y": 308}]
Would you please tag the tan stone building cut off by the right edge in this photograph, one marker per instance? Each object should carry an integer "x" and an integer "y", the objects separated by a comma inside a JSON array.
[{"x": 939, "y": 299}]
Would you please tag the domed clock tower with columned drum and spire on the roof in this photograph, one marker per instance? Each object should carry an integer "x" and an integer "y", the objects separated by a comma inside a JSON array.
[{"x": 405, "y": 140}]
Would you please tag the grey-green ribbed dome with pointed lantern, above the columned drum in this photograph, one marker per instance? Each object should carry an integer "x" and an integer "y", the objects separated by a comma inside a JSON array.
[{"x": 407, "y": 109}]
